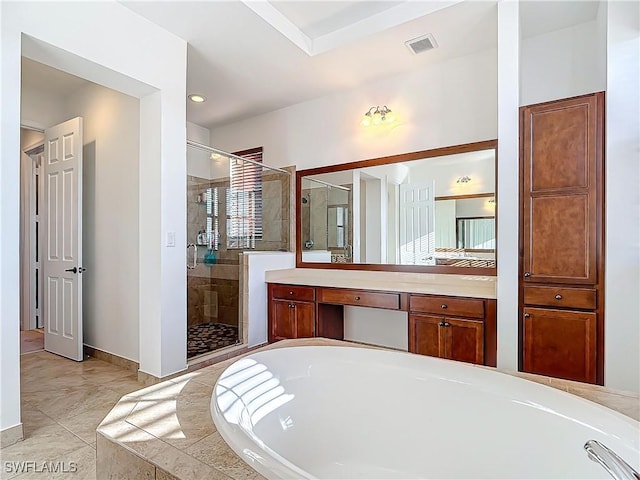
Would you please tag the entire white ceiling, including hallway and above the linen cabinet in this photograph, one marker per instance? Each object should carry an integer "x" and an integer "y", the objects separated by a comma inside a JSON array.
[{"x": 253, "y": 57}]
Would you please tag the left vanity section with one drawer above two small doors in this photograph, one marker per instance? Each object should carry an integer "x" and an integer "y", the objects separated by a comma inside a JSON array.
[{"x": 291, "y": 311}]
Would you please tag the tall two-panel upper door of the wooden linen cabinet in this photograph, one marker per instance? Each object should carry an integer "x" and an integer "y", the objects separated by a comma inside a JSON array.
[{"x": 562, "y": 155}]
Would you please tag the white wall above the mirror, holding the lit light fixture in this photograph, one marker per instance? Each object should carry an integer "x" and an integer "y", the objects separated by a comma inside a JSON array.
[{"x": 445, "y": 104}]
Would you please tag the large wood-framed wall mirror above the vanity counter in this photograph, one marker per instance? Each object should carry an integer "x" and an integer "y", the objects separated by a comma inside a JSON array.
[{"x": 428, "y": 211}]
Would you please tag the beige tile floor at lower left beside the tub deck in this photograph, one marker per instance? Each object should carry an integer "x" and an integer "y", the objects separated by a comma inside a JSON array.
[{"x": 62, "y": 404}]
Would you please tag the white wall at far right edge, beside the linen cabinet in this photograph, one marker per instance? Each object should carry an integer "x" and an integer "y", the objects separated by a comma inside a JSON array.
[{"x": 622, "y": 255}]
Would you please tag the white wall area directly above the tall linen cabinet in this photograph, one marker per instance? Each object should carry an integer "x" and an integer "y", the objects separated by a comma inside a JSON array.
[{"x": 561, "y": 64}]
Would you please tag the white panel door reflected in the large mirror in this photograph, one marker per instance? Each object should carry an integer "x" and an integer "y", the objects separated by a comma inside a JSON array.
[{"x": 417, "y": 232}]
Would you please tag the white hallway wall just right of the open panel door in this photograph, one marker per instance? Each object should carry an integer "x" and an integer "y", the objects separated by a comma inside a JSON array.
[{"x": 110, "y": 218}]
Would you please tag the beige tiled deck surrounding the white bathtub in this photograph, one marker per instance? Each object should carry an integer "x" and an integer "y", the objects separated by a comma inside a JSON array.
[{"x": 165, "y": 431}]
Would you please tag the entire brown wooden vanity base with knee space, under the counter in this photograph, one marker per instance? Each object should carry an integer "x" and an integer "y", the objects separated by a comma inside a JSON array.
[{"x": 457, "y": 328}]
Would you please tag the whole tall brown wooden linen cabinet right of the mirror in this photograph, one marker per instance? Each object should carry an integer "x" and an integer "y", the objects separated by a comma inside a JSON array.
[{"x": 561, "y": 238}]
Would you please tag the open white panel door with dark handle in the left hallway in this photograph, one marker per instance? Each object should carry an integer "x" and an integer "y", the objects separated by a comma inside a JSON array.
[{"x": 62, "y": 248}]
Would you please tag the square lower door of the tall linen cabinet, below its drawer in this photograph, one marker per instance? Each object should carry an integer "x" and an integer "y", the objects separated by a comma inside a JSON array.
[{"x": 560, "y": 343}]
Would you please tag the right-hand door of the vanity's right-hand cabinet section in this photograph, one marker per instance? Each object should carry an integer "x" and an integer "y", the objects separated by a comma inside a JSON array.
[{"x": 464, "y": 340}]
